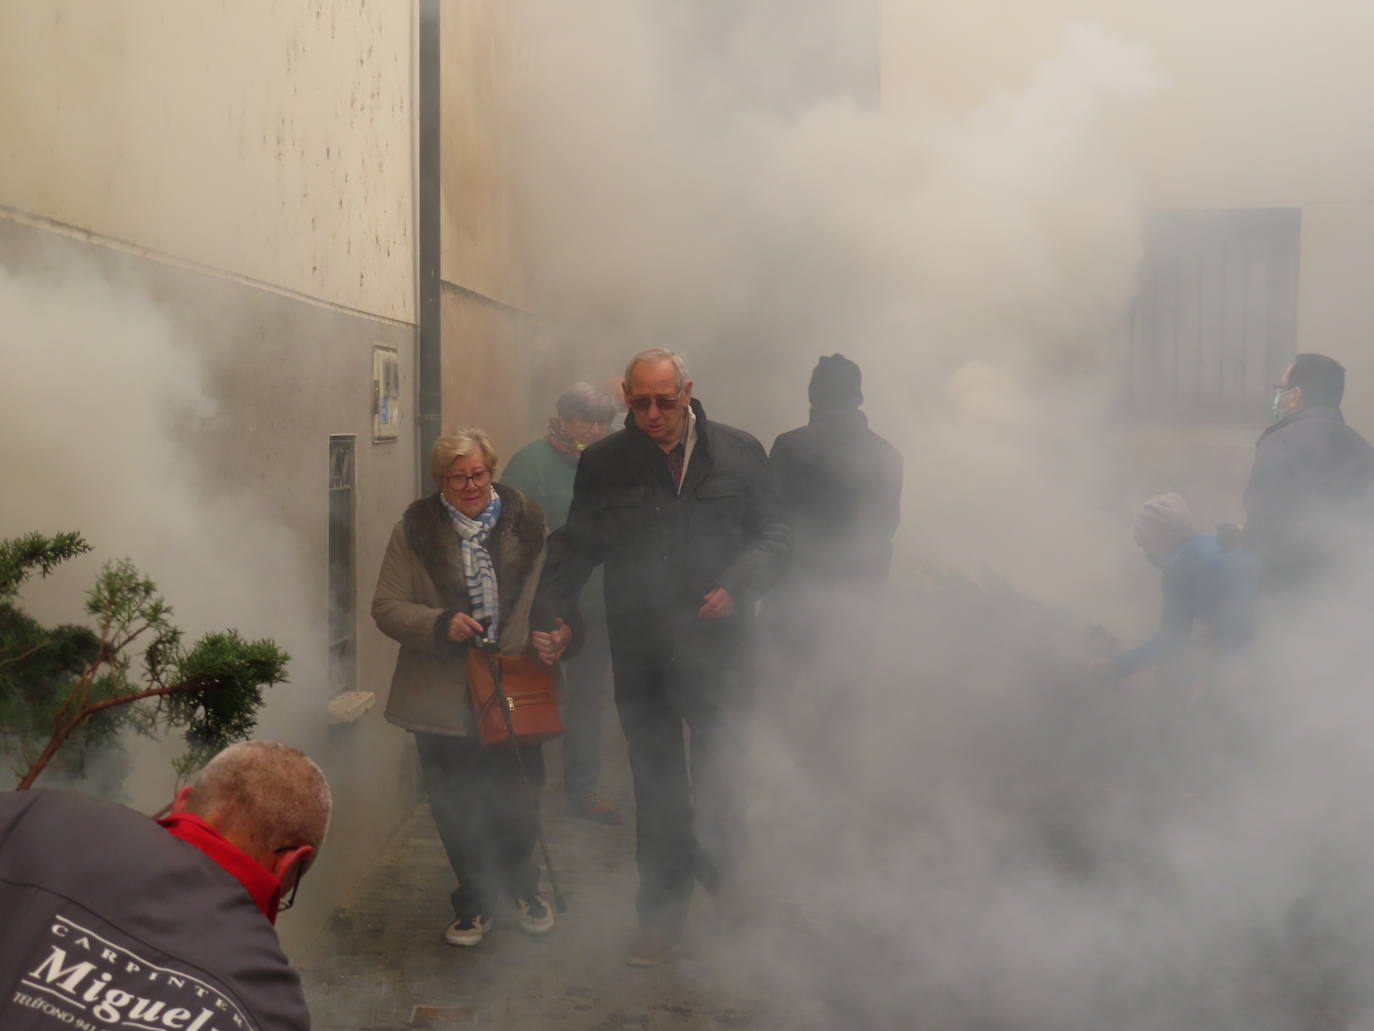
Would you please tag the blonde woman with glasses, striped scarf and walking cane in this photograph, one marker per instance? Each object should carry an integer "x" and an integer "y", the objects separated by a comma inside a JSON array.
[{"x": 462, "y": 563}]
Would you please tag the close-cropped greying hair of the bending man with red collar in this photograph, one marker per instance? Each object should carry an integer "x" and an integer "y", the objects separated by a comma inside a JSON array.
[{"x": 263, "y": 795}]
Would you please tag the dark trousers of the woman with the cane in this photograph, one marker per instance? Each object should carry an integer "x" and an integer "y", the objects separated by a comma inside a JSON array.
[{"x": 486, "y": 816}]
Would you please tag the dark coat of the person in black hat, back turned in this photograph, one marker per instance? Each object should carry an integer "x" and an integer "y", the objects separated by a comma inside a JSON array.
[{"x": 840, "y": 486}]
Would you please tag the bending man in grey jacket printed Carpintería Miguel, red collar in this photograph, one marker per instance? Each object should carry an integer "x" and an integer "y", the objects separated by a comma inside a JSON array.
[{"x": 113, "y": 920}]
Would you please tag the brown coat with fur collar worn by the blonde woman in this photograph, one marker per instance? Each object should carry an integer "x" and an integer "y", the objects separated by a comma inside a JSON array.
[{"x": 421, "y": 588}]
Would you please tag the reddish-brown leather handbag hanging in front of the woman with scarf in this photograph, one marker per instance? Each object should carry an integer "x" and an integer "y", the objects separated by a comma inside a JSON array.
[{"x": 524, "y": 687}]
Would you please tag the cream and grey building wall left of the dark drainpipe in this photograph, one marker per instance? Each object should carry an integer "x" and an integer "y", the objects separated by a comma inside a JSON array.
[{"x": 244, "y": 174}]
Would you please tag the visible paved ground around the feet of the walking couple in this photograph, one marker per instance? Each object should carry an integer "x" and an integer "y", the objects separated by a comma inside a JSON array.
[{"x": 383, "y": 962}]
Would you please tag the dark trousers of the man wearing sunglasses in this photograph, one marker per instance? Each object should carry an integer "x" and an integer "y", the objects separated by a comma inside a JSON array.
[{"x": 689, "y": 801}]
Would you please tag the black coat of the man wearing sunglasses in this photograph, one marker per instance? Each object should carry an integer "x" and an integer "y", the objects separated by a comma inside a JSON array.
[{"x": 664, "y": 549}]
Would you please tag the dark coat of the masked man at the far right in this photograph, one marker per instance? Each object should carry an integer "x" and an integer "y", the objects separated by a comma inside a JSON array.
[{"x": 1310, "y": 471}]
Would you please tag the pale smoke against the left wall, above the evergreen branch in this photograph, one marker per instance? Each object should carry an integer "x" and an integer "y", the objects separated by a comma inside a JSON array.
[{"x": 111, "y": 432}]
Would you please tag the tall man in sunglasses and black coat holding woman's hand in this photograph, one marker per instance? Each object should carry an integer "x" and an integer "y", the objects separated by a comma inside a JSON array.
[{"x": 685, "y": 518}]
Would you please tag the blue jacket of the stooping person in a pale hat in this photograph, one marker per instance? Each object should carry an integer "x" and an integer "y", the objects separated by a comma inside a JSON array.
[{"x": 1202, "y": 585}]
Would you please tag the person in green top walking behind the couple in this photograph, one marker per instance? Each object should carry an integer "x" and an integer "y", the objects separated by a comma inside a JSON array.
[{"x": 545, "y": 471}]
